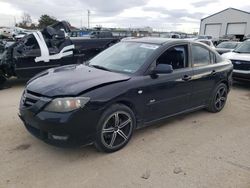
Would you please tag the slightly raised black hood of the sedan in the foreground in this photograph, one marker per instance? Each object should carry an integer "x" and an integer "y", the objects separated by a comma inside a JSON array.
[{"x": 72, "y": 80}]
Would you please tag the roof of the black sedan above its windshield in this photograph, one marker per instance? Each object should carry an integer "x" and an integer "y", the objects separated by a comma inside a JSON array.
[{"x": 155, "y": 40}]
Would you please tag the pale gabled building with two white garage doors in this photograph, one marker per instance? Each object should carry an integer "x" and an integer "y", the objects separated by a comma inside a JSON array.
[{"x": 230, "y": 21}]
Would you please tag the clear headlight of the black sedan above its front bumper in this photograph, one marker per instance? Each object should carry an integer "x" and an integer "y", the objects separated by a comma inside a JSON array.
[{"x": 66, "y": 104}]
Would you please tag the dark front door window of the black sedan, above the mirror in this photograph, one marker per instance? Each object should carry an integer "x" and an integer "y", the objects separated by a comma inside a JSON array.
[{"x": 176, "y": 56}]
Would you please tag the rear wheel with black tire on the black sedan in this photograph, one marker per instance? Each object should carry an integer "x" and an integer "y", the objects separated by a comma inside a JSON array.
[{"x": 218, "y": 98}]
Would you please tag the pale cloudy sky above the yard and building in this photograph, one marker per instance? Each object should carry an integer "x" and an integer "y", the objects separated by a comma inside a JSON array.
[{"x": 176, "y": 15}]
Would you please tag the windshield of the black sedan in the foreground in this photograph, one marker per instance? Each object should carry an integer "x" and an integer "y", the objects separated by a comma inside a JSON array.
[{"x": 125, "y": 57}]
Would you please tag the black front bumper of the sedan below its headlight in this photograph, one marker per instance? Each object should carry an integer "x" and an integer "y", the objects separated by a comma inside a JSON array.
[{"x": 62, "y": 129}]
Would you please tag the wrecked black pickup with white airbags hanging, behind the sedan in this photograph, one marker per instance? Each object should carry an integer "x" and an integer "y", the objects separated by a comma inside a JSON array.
[{"x": 46, "y": 49}]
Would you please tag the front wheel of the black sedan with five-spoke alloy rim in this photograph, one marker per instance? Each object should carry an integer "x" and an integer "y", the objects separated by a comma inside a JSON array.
[{"x": 115, "y": 128}]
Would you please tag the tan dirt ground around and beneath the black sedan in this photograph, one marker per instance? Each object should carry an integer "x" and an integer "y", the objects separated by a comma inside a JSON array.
[{"x": 200, "y": 149}]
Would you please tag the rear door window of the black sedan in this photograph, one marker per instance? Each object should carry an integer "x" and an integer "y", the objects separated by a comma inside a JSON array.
[{"x": 200, "y": 56}]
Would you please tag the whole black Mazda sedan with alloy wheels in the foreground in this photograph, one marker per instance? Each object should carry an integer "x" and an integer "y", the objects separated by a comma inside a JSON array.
[{"x": 130, "y": 85}]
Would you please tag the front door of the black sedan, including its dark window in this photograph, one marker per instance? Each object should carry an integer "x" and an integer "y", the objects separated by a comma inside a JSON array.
[{"x": 168, "y": 94}]
